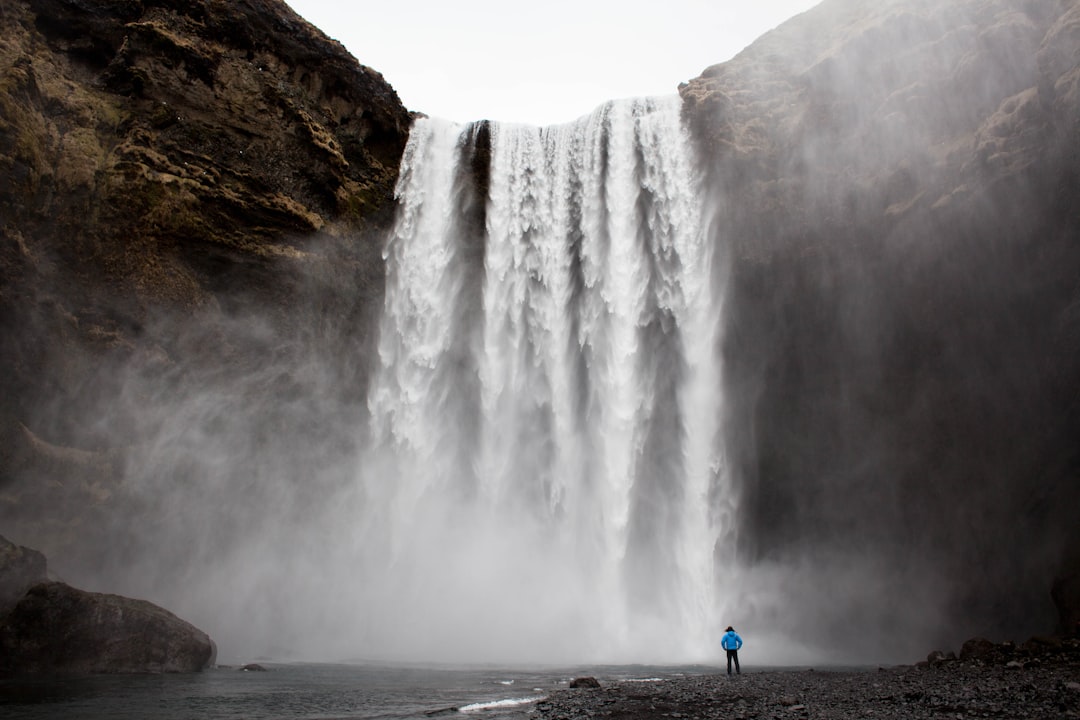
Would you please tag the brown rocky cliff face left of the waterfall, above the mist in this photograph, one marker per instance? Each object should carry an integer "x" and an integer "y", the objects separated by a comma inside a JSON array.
[{"x": 170, "y": 169}]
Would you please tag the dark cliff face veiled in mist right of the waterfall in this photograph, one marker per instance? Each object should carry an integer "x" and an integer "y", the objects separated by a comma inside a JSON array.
[{"x": 898, "y": 186}]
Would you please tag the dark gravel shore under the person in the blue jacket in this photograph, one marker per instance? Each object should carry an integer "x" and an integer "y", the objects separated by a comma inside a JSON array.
[{"x": 1027, "y": 687}]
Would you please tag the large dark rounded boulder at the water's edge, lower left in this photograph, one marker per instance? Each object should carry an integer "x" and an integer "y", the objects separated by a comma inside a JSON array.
[{"x": 59, "y": 630}]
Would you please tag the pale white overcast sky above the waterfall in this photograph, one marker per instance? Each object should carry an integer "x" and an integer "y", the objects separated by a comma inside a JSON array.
[{"x": 541, "y": 62}]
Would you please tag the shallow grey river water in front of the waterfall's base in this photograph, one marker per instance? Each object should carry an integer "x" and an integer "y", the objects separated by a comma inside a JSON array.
[{"x": 309, "y": 691}]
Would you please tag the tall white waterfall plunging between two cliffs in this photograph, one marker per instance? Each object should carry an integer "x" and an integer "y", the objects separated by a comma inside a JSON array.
[{"x": 544, "y": 461}]
